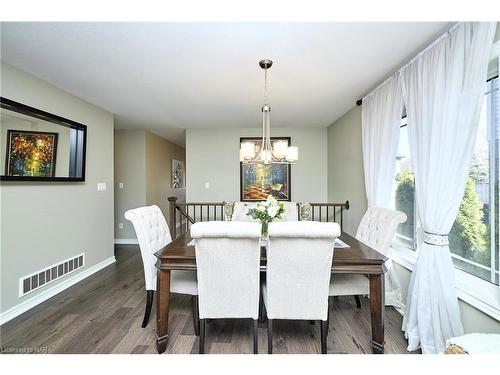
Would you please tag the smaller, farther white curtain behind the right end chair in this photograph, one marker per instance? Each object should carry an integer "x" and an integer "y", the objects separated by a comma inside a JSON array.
[{"x": 381, "y": 120}]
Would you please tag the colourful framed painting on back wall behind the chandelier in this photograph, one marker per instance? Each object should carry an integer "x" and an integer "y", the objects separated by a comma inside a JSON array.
[{"x": 257, "y": 181}]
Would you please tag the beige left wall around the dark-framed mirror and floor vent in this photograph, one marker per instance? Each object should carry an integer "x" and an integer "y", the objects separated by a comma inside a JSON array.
[{"x": 45, "y": 223}]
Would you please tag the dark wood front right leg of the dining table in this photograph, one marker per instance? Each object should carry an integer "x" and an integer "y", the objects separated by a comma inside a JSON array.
[{"x": 377, "y": 307}]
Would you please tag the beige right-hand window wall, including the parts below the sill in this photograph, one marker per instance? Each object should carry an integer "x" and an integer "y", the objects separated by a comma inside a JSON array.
[{"x": 345, "y": 160}]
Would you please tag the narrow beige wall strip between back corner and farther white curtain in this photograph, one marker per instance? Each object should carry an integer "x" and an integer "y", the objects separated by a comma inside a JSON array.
[{"x": 345, "y": 167}]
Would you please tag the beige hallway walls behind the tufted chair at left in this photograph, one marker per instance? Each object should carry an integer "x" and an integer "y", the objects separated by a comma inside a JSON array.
[{"x": 143, "y": 163}]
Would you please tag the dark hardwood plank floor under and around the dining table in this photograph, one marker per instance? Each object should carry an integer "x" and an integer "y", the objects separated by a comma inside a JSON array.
[{"x": 103, "y": 314}]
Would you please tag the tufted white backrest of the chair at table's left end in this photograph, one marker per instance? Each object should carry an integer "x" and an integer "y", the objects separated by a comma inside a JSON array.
[{"x": 152, "y": 234}]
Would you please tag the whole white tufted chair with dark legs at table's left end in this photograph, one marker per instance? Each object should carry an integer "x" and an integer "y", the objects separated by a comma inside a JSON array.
[{"x": 153, "y": 234}]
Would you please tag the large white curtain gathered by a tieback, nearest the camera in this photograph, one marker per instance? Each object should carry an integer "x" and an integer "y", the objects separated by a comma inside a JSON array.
[{"x": 443, "y": 88}]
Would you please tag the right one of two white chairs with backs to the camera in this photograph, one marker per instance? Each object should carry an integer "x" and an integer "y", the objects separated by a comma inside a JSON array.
[{"x": 299, "y": 261}]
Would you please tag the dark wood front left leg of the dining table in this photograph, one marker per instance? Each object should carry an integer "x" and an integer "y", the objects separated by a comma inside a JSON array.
[{"x": 162, "y": 302}]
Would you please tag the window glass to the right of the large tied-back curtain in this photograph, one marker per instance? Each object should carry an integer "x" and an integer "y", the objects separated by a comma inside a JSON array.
[{"x": 474, "y": 238}]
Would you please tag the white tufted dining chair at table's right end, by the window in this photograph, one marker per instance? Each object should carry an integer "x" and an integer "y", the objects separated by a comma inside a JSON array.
[{"x": 376, "y": 229}]
